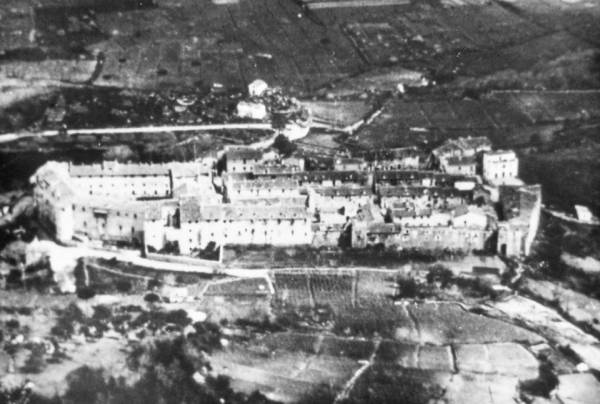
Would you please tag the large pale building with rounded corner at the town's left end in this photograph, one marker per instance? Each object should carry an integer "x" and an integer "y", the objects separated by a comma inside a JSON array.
[{"x": 108, "y": 202}]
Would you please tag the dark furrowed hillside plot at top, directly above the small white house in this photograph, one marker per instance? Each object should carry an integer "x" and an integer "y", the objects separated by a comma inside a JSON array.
[{"x": 232, "y": 45}]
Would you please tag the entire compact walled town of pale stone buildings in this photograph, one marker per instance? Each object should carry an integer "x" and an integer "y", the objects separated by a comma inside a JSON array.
[{"x": 465, "y": 196}]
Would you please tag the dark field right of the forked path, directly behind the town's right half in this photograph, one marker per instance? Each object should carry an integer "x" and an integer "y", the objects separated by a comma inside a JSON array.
[{"x": 508, "y": 118}]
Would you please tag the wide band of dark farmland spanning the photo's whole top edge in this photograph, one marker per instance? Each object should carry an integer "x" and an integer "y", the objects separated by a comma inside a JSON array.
[{"x": 314, "y": 46}]
